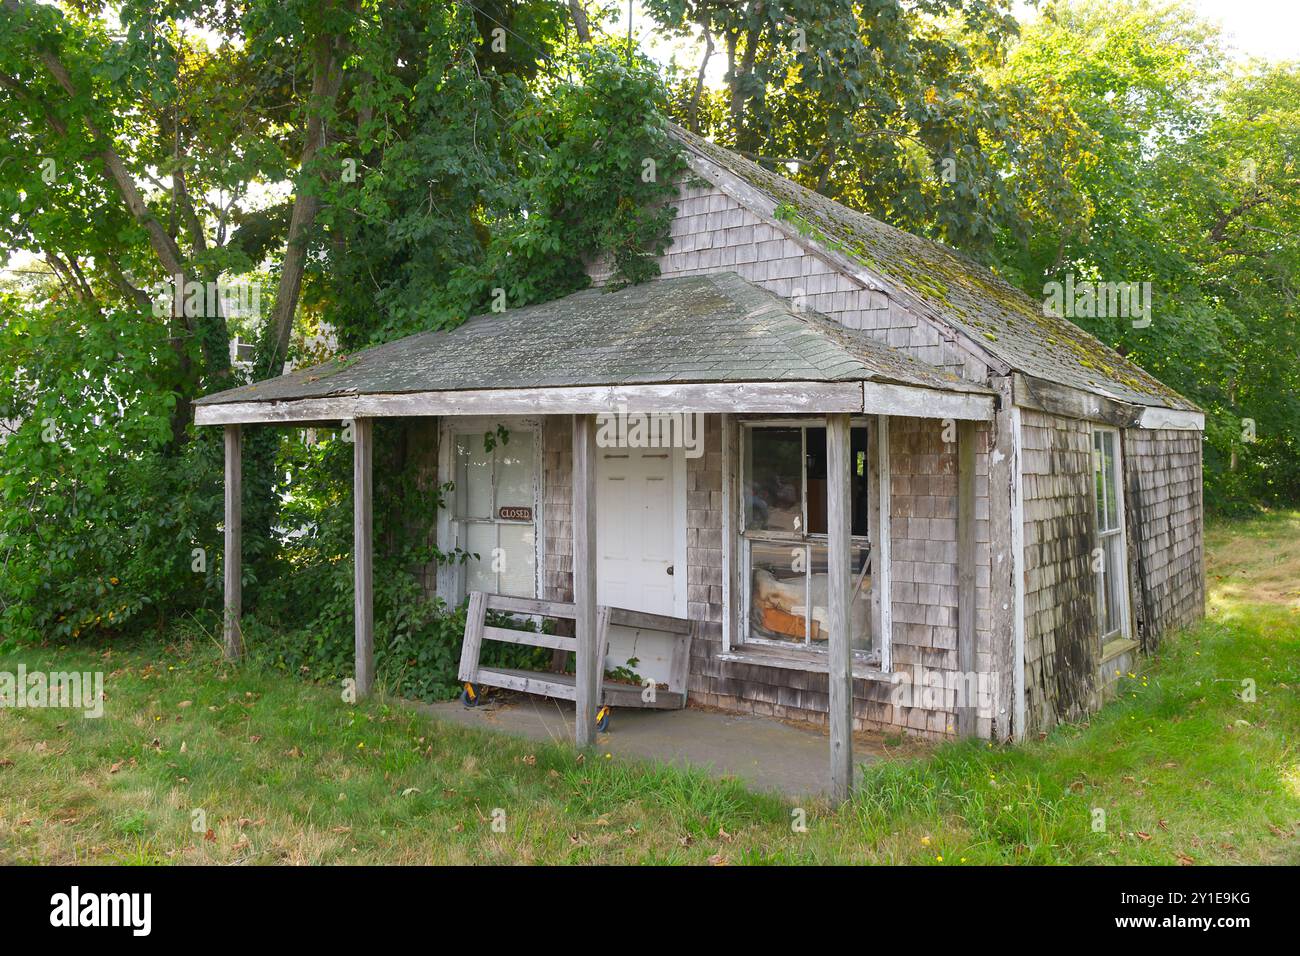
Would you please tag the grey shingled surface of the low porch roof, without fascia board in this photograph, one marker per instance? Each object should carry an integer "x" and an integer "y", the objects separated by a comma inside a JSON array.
[{"x": 714, "y": 328}]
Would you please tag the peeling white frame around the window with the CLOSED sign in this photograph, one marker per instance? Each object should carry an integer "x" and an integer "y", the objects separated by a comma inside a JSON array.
[{"x": 453, "y": 577}]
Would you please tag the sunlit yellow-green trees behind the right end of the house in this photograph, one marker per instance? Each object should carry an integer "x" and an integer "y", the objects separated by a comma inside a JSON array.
[{"x": 1190, "y": 183}]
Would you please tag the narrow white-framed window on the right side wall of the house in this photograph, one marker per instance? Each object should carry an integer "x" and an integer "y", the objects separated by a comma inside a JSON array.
[{"x": 1111, "y": 563}]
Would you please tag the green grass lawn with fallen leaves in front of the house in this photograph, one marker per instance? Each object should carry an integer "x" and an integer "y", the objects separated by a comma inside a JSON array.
[{"x": 1186, "y": 771}]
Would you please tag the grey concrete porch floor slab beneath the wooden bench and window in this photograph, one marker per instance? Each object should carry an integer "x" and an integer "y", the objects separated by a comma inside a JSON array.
[{"x": 764, "y": 754}]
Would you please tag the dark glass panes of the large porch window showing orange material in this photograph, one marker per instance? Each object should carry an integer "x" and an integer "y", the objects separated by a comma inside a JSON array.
[{"x": 785, "y": 538}]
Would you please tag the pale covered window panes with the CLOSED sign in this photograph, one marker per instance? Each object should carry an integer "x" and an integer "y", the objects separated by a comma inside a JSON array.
[{"x": 495, "y": 507}]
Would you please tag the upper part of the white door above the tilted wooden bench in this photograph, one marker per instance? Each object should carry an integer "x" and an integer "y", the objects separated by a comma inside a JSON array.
[{"x": 640, "y": 530}]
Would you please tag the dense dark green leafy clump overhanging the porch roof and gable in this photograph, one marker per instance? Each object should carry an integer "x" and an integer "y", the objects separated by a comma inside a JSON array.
[{"x": 519, "y": 191}]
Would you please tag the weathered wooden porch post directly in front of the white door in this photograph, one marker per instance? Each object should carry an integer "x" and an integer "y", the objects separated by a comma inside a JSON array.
[{"x": 584, "y": 579}]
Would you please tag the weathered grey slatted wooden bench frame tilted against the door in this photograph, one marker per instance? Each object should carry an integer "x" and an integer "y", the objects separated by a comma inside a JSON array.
[{"x": 558, "y": 684}]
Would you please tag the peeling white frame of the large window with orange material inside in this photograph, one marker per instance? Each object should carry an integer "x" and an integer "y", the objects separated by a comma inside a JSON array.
[{"x": 746, "y": 639}]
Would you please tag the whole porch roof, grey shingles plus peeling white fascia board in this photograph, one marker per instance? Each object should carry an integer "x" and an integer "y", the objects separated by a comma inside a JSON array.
[{"x": 644, "y": 344}]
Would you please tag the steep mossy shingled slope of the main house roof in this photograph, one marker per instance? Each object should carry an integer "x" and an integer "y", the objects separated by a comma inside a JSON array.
[{"x": 994, "y": 315}]
